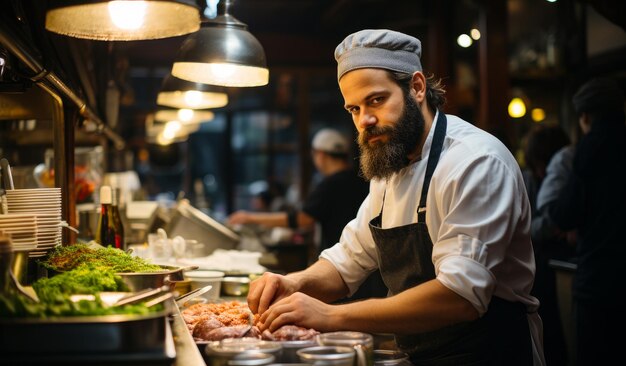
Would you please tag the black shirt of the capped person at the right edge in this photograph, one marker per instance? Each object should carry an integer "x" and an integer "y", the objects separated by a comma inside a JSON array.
[{"x": 594, "y": 202}]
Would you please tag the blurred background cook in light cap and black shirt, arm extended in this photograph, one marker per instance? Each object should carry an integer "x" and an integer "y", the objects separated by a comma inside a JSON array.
[{"x": 334, "y": 201}]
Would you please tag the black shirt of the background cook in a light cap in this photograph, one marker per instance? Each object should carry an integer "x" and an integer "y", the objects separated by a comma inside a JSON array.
[{"x": 334, "y": 202}]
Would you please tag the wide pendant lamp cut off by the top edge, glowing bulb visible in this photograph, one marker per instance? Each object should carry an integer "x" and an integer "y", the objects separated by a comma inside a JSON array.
[{"x": 125, "y": 20}]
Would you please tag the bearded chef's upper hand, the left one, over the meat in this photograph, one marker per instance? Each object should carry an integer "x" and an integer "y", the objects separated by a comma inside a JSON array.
[{"x": 268, "y": 289}]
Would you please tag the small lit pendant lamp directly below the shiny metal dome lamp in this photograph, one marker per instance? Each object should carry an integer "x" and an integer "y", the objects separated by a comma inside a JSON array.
[{"x": 178, "y": 93}]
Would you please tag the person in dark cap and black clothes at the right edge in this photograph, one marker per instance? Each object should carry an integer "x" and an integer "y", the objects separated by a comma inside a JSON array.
[{"x": 593, "y": 202}]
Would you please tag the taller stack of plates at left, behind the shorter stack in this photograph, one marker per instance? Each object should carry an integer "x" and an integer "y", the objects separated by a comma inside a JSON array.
[{"x": 45, "y": 205}]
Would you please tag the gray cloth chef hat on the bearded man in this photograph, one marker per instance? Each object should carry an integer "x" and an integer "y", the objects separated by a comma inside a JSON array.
[{"x": 378, "y": 48}]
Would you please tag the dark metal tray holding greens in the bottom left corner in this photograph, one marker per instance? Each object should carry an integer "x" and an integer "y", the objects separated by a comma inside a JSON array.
[{"x": 84, "y": 335}]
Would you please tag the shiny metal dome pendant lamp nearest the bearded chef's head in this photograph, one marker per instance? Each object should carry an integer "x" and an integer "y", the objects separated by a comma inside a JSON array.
[{"x": 222, "y": 52}]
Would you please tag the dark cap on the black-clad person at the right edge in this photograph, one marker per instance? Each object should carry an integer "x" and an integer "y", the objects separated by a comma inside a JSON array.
[{"x": 597, "y": 94}]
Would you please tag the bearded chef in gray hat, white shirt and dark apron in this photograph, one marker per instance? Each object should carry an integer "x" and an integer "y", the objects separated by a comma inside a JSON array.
[{"x": 446, "y": 221}]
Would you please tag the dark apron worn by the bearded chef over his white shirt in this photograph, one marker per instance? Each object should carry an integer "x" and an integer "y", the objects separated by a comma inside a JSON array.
[{"x": 500, "y": 337}]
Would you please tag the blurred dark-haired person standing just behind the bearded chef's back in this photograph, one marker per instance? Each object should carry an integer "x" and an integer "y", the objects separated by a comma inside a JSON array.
[{"x": 541, "y": 145}]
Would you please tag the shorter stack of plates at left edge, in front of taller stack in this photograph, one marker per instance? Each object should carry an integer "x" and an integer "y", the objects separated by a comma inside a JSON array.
[{"x": 22, "y": 229}]
